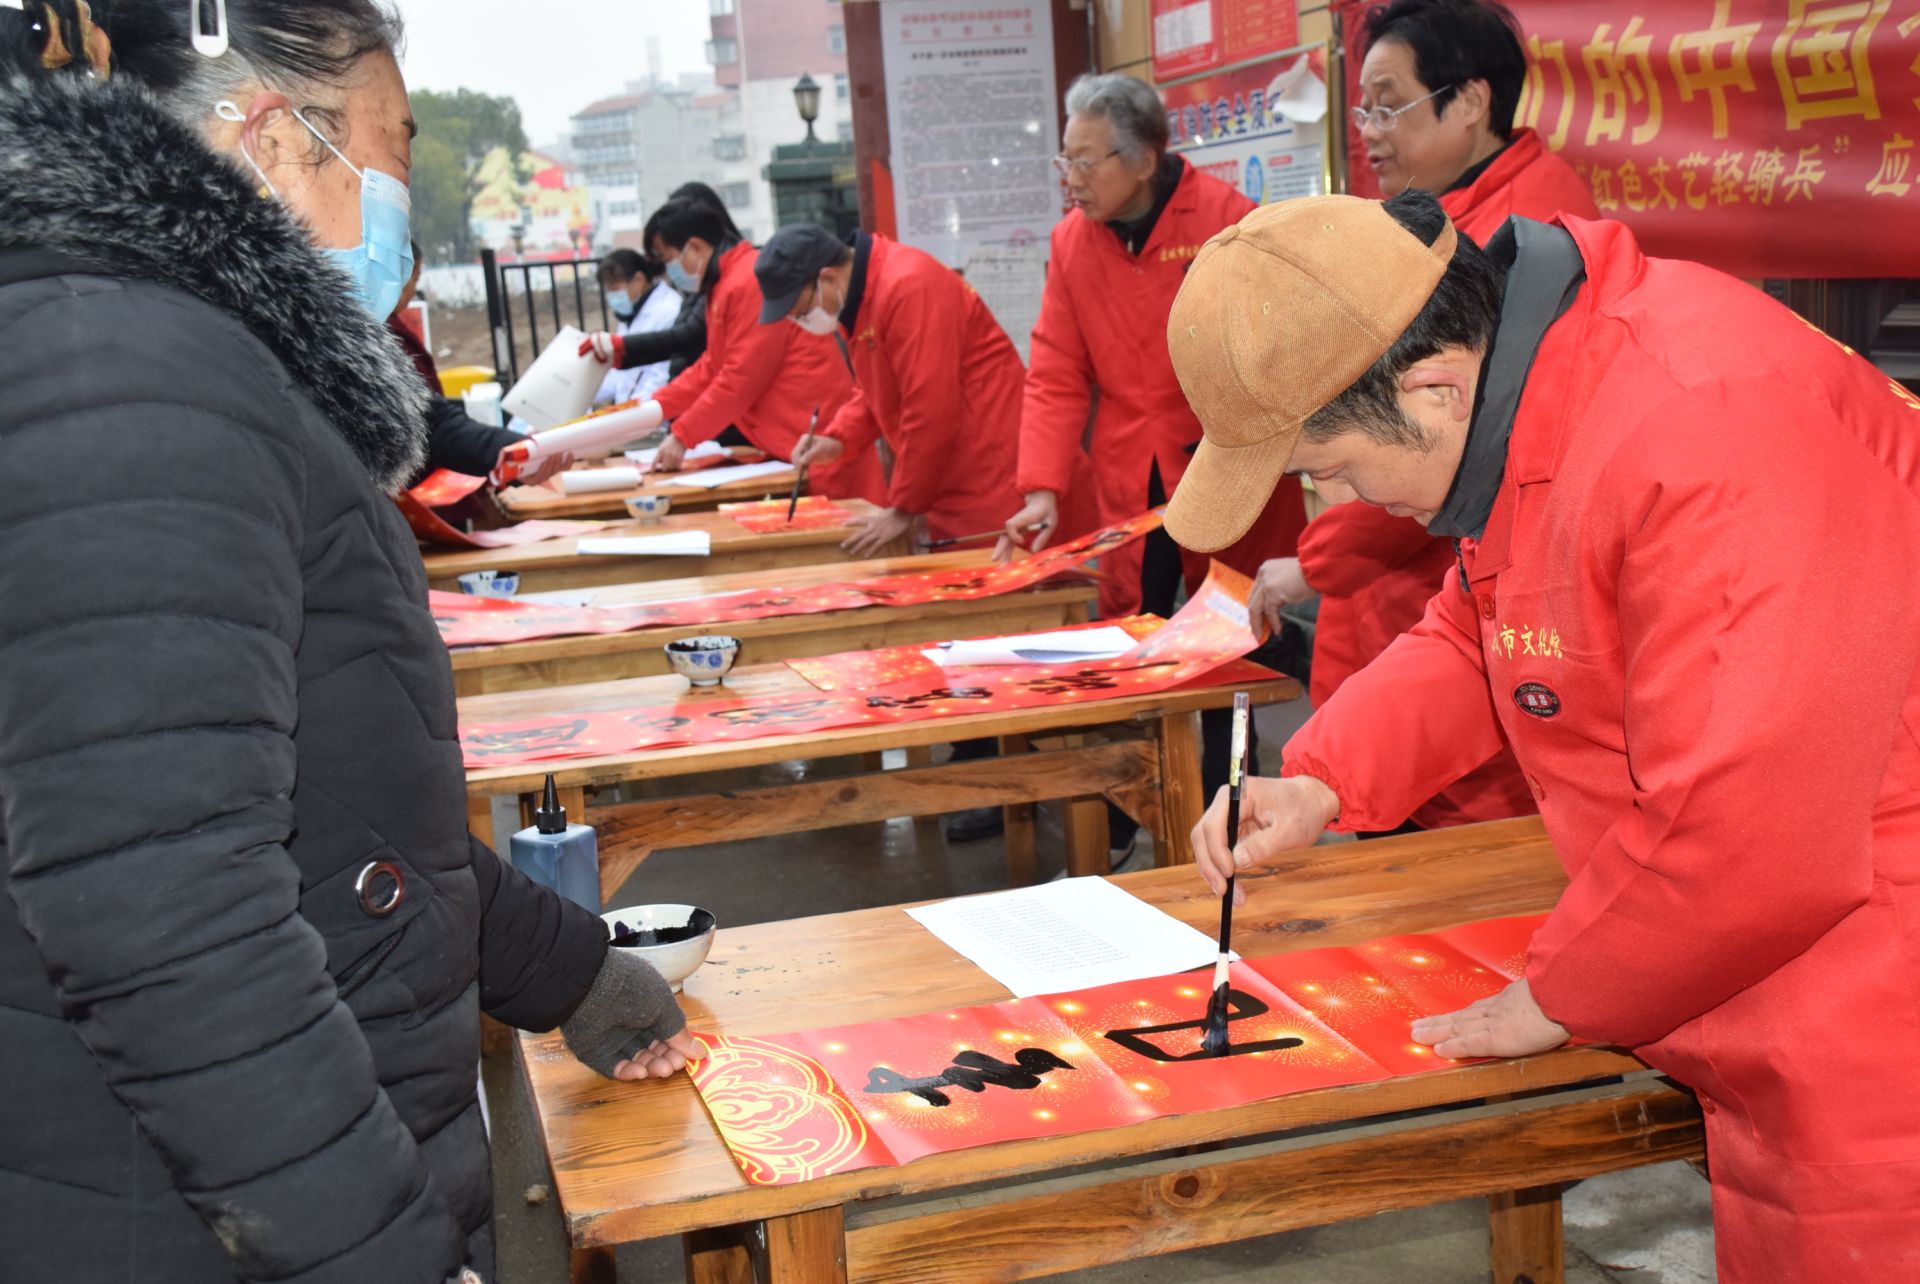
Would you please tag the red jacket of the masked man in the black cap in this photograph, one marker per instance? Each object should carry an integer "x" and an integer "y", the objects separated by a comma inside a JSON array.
[{"x": 938, "y": 377}]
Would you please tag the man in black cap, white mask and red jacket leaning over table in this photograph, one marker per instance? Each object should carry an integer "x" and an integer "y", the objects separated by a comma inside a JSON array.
[{"x": 934, "y": 375}]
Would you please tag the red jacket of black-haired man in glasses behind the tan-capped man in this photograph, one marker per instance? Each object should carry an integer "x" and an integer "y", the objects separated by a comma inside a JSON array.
[{"x": 1376, "y": 571}]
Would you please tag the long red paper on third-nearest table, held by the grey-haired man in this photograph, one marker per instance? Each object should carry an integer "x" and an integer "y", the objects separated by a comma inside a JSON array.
[{"x": 489, "y": 623}]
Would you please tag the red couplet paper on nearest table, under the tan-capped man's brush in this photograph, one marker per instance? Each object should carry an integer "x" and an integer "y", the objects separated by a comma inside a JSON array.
[{"x": 802, "y": 1106}]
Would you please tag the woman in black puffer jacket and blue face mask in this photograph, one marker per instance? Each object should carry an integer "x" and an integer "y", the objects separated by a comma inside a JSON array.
[{"x": 245, "y": 938}]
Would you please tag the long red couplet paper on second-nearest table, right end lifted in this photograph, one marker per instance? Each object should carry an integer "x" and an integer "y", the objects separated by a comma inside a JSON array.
[{"x": 1170, "y": 657}]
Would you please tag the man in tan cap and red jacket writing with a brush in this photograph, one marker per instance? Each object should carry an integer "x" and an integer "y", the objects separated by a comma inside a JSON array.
[{"x": 1658, "y": 483}]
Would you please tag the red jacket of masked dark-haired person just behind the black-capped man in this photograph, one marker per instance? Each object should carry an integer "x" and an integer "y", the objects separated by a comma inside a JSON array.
[{"x": 769, "y": 381}]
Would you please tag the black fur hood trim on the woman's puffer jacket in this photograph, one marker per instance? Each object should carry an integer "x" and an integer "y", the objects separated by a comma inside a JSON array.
[{"x": 103, "y": 176}]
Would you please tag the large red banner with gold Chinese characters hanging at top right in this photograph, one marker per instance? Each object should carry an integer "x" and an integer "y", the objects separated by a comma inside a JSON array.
[{"x": 1760, "y": 137}]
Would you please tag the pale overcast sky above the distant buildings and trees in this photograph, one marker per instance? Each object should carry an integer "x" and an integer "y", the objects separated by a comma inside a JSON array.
[{"x": 554, "y": 57}]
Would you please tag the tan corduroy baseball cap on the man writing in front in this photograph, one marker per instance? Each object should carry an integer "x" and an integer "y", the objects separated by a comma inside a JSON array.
[{"x": 1278, "y": 318}]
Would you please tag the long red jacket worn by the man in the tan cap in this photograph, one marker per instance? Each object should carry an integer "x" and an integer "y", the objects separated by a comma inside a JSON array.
[{"x": 1694, "y": 617}]
